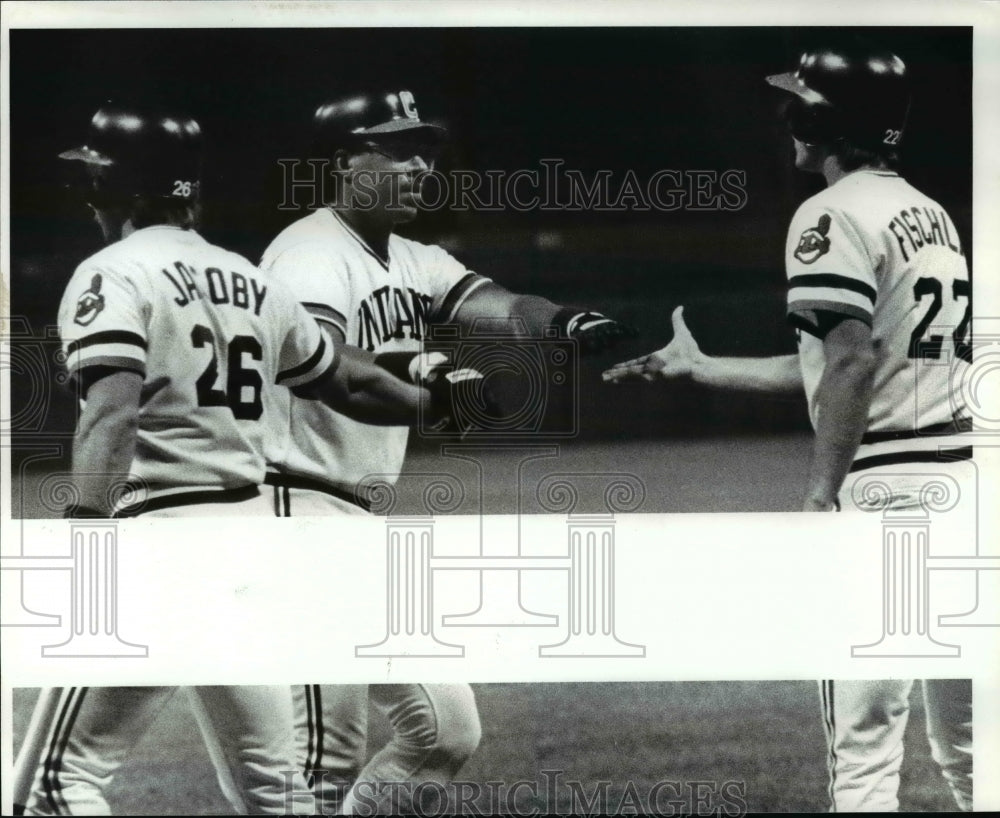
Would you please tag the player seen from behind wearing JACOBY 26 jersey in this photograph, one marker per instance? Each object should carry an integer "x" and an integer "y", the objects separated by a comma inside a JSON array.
[{"x": 176, "y": 346}]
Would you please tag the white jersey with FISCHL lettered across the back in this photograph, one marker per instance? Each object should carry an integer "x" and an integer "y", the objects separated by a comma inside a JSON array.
[{"x": 874, "y": 248}]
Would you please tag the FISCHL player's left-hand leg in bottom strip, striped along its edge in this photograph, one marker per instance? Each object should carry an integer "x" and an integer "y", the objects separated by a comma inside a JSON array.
[{"x": 864, "y": 723}]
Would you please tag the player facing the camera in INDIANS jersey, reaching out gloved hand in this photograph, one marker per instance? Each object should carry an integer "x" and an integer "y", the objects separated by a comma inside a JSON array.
[{"x": 379, "y": 291}]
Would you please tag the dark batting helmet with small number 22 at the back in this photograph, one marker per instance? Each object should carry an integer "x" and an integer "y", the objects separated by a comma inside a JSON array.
[{"x": 858, "y": 94}]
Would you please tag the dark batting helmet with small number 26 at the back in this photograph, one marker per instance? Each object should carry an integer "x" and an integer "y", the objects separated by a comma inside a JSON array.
[{"x": 131, "y": 151}]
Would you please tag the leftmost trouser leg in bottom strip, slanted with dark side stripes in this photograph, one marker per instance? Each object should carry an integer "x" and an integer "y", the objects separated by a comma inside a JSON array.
[{"x": 93, "y": 733}]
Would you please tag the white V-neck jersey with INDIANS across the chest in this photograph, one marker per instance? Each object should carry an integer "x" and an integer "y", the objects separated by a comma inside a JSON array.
[{"x": 381, "y": 305}]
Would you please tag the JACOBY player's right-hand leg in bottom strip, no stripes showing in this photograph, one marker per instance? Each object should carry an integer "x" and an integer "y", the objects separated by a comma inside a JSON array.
[{"x": 250, "y": 728}]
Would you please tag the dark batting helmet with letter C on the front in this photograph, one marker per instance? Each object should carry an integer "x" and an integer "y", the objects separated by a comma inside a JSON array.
[{"x": 371, "y": 117}]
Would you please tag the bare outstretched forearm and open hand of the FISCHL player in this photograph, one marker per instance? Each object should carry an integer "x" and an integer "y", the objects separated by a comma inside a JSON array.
[{"x": 682, "y": 358}]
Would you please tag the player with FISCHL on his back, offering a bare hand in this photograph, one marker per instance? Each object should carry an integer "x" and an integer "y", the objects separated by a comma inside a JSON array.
[{"x": 875, "y": 271}]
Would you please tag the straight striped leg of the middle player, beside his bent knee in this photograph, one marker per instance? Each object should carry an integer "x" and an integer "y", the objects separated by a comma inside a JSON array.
[{"x": 331, "y": 728}]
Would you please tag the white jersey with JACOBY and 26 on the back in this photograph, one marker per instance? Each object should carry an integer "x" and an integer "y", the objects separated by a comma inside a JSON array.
[{"x": 209, "y": 334}]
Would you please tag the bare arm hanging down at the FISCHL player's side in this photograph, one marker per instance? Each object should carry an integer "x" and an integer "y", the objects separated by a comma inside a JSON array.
[{"x": 843, "y": 399}]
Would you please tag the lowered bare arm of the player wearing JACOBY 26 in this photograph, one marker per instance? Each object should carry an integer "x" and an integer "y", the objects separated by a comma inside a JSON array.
[{"x": 105, "y": 441}]
